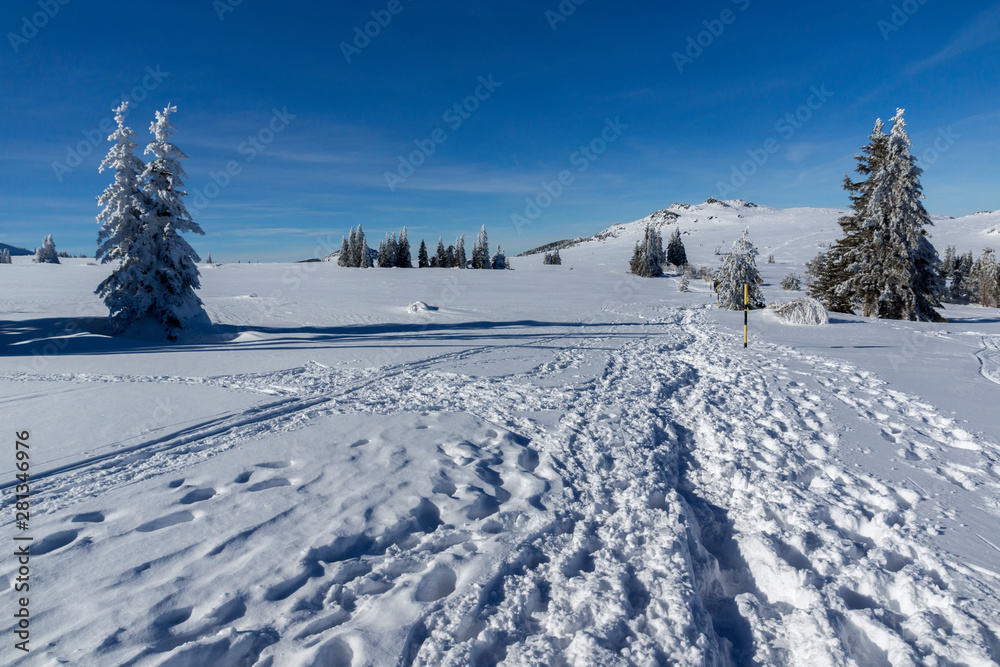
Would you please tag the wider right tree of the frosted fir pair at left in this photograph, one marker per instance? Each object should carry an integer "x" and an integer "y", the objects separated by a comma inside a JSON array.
[{"x": 161, "y": 269}]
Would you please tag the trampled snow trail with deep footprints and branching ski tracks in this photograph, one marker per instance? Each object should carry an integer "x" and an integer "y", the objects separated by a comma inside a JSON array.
[{"x": 688, "y": 508}]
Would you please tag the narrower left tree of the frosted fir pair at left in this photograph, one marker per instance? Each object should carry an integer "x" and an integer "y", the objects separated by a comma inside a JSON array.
[{"x": 125, "y": 206}]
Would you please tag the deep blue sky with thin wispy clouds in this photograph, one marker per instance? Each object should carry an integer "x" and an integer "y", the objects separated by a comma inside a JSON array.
[{"x": 595, "y": 92}]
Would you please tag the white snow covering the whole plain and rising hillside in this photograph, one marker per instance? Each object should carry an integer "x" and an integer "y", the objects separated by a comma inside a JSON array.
[{"x": 553, "y": 465}]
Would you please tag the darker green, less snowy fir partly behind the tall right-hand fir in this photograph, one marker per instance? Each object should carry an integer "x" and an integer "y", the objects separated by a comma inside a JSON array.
[{"x": 830, "y": 269}]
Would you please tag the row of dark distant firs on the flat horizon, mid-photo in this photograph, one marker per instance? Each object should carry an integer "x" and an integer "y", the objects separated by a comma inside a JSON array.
[{"x": 394, "y": 252}]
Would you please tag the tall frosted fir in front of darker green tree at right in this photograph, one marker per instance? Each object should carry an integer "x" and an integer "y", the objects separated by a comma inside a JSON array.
[{"x": 896, "y": 273}]
